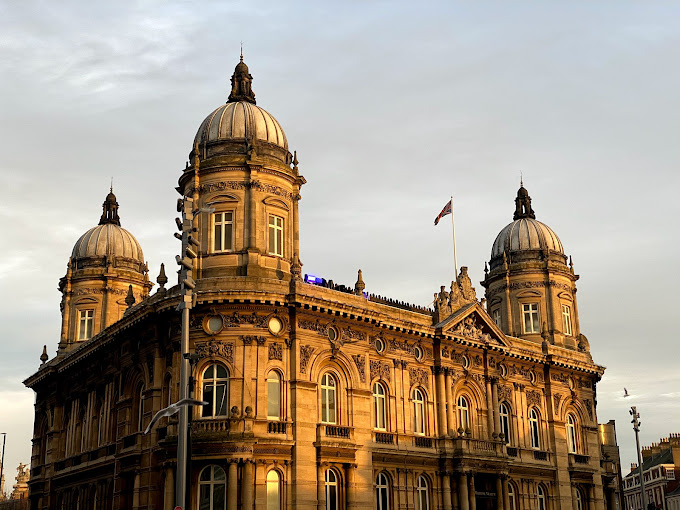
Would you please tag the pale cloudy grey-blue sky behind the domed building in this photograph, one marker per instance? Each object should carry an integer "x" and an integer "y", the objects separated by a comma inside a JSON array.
[{"x": 392, "y": 107}]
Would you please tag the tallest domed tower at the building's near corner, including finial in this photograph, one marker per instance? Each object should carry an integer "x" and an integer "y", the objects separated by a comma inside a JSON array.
[{"x": 241, "y": 168}]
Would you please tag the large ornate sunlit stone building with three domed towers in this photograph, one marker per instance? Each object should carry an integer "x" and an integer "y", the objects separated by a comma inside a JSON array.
[{"x": 320, "y": 396}]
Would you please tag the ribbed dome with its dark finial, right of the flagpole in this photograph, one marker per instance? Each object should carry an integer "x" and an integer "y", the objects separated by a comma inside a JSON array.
[{"x": 526, "y": 233}]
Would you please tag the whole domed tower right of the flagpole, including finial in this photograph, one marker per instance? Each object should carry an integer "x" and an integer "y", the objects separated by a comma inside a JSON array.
[{"x": 530, "y": 289}]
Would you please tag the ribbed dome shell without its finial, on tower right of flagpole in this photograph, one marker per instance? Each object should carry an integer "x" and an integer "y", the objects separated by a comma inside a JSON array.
[{"x": 526, "y": 234}]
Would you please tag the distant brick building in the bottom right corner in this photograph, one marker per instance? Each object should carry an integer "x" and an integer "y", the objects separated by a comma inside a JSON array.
[{"x": 661, "y": 471}]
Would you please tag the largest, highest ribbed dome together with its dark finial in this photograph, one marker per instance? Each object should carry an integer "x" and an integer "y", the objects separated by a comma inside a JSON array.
[{"x": 241, "y": 118}]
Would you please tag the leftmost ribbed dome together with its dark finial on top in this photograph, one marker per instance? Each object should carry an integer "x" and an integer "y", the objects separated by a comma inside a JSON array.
[{"x": 108, "y": 239}]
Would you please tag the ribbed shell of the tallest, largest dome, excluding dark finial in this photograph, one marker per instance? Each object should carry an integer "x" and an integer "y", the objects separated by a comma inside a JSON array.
[{"x": 241, "y": 120}]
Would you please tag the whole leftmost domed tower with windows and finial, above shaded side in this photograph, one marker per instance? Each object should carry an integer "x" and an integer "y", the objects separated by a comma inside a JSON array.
[{"x": 105, "y": 261}]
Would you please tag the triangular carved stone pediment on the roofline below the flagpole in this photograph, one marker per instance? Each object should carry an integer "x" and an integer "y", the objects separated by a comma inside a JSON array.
[{"x": 471, "y": 322}]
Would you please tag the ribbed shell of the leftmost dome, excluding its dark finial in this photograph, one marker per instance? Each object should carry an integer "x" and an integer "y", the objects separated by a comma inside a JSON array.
[{"x": 108, "y": 239}]
